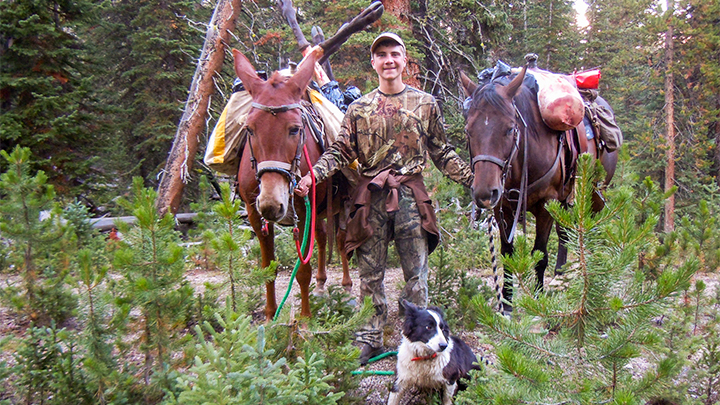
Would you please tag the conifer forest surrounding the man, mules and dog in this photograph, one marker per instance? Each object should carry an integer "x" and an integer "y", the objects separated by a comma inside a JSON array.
[{"x": 152, "y": 309}]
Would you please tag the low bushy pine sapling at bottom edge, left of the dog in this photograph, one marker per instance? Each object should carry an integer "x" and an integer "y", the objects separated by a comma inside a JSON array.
[{"x": 235, "y": 366}]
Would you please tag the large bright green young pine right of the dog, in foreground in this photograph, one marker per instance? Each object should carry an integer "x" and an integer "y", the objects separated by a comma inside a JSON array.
[{"x": 576, "y": 344}]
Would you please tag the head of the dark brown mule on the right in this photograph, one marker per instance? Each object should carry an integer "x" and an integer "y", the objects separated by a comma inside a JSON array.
[{"x": 492, "y": 134}]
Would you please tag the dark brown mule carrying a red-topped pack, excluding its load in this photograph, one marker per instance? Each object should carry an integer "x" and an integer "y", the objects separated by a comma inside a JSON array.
[{"x": 507, "y": 138}]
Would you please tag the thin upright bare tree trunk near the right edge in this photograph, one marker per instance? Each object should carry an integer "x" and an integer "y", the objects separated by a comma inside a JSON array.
[{"x": 669, "y": 224}]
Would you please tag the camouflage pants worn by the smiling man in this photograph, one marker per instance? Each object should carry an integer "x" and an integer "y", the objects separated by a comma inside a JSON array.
[{"x": 402, "y": 226}]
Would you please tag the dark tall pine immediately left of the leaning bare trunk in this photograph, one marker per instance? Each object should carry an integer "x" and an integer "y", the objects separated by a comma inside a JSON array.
[{"x": 148, "y": 49}]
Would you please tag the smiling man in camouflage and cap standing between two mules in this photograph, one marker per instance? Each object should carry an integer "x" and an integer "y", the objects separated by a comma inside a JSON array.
[{"x": 389, "y": 131}]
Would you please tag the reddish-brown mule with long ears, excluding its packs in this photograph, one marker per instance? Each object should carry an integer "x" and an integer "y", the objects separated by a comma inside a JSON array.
[{"x": 277, "y": 133}]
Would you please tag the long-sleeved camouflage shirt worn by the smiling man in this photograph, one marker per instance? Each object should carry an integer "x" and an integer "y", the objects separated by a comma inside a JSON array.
[{"x": 393, "y": 132}]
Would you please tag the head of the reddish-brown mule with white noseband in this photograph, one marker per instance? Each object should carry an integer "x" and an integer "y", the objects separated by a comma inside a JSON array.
[{"x": 276, "y": 131}]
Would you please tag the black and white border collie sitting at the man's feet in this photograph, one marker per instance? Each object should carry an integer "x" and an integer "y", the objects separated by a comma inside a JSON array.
[{"x": 428, "y": 357}]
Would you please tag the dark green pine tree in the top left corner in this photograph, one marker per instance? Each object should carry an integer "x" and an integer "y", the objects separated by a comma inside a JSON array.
[{"x": 46, "y": 99}]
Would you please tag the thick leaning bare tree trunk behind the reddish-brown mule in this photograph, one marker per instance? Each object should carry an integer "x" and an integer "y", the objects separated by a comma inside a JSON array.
[{"x": 192, "y": 123}]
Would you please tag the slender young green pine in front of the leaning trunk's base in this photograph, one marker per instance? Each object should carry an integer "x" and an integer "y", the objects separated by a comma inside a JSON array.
[{"x": 151, "y": 262}]
